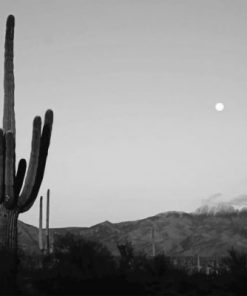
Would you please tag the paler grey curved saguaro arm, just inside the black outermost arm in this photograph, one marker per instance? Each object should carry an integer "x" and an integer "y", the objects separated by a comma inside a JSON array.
[{"x": 33, "y": 163}]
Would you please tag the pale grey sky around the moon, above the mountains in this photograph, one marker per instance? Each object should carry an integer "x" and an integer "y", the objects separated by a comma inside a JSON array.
[{"x": 133, "y": 85}]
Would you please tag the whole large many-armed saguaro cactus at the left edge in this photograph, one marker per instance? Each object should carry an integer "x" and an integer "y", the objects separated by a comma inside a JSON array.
[{"x": 13, "y": 200}]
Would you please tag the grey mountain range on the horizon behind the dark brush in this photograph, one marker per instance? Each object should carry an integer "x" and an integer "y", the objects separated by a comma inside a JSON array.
[{"x": 176, "y": 233}]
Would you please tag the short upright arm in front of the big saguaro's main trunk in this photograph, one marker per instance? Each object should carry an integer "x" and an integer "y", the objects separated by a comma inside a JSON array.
[{"x": 9, "y": 198}]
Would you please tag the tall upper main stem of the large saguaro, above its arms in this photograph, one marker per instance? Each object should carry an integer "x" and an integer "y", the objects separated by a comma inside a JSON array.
[{"x": 9, "y": 84}]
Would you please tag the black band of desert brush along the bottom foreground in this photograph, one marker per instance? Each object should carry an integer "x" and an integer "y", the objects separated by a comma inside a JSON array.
[{"x": 80, "y": 267}]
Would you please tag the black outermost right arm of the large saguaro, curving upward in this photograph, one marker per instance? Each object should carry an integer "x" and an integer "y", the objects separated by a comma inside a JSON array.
[{"x": 44, "y": 146}]
